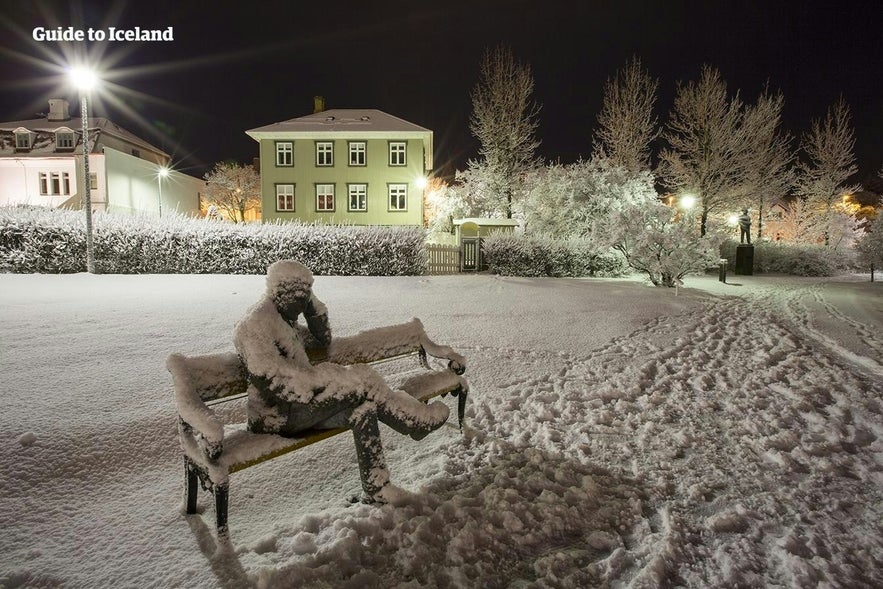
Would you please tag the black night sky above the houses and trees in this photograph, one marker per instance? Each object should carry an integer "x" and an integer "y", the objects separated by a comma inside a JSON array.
[{"x": 234, "y": 66}]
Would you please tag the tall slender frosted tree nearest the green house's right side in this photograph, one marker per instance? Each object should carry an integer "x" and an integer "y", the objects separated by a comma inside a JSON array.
[{"x": 504, "y": 120}]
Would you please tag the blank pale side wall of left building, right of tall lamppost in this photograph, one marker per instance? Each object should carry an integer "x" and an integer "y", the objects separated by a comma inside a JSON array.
[{"x": 133, "y": 186}]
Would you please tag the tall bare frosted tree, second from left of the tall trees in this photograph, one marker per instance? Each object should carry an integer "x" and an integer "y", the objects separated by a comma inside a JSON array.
[{"x": 627, "y": 124}]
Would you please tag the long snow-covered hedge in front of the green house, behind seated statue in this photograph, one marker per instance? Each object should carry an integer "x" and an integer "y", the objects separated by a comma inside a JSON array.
[{"x": 54, "y": 241}]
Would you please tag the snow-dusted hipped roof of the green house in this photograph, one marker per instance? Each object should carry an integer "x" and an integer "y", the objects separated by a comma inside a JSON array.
[{"x": 342, "y": 120}]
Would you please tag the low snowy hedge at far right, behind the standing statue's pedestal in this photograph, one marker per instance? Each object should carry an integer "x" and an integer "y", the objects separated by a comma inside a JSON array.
[{"x": 789, "y": 258}]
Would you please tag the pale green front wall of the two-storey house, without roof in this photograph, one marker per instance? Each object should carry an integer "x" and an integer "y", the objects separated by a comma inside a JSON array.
[{"x": 377, "y": 174}]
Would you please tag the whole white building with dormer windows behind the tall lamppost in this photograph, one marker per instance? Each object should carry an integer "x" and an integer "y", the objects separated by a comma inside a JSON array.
[{"x": 41, "y": 163}]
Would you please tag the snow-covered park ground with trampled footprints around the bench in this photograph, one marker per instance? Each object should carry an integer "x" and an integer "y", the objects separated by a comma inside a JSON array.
[{"x": 618, "y": 435}]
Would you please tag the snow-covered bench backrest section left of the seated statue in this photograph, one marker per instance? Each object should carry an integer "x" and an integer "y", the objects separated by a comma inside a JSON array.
[{"x": 210, "y": 377}]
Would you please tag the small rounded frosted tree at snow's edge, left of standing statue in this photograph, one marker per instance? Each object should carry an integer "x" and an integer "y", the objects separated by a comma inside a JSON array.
[{"x": 655, "y": 242}]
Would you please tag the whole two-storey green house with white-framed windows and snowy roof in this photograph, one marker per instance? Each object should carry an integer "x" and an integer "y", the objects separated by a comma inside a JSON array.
[{"x": 354, "y": 166}]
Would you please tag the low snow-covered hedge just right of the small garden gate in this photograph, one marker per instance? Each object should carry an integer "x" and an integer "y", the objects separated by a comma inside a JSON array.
[{"x": 511, "y": 254}]
